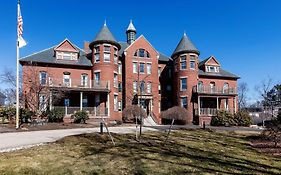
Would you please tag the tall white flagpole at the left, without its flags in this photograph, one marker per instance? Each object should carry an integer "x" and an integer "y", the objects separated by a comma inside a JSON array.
[{"x": 17, "y": 75}]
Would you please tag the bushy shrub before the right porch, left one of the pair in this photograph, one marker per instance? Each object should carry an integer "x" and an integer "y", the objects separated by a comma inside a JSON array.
[{"x": 223, "y": 118}]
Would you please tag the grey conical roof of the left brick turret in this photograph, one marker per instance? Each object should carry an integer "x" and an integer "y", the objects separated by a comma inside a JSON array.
[{"x": 104, "y": 36}]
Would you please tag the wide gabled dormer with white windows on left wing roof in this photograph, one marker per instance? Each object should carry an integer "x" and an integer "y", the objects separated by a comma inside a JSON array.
[{"x": 66, "y": 51}]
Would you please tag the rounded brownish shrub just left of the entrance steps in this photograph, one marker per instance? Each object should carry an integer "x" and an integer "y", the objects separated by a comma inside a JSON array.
[{"x": 130, "y": 113}]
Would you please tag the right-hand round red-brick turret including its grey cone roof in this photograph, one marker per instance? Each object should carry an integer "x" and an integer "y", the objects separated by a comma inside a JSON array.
[{"x": 185, "y": 59}]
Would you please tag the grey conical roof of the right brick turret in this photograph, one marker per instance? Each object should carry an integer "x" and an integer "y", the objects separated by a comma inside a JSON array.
[{"x": 185, "y": 45}]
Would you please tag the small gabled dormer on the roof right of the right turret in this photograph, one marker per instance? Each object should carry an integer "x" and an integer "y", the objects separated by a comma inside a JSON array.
[{"x": 210, "y": 65}]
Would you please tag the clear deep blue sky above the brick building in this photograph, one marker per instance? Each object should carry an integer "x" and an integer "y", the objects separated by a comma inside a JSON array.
[{"x": 244, "y": 35}]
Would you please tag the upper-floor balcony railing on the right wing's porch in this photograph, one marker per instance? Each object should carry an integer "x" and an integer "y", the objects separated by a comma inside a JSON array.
[{"x": 214, "y": 90}]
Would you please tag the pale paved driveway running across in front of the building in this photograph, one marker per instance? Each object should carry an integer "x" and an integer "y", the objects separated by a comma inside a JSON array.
[{"x": 19, "y": 140}]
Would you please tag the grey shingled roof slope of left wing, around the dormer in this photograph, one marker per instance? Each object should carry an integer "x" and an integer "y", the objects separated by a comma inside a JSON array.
[{"x": 48, "y": 56}]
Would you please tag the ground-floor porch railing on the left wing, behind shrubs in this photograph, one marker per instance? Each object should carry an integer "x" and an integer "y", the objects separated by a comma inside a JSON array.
[{"x": 92, "y": 111}]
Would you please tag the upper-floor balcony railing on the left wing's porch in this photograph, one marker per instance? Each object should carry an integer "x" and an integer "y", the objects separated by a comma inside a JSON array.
[{"x": 78, "y": 83}]
